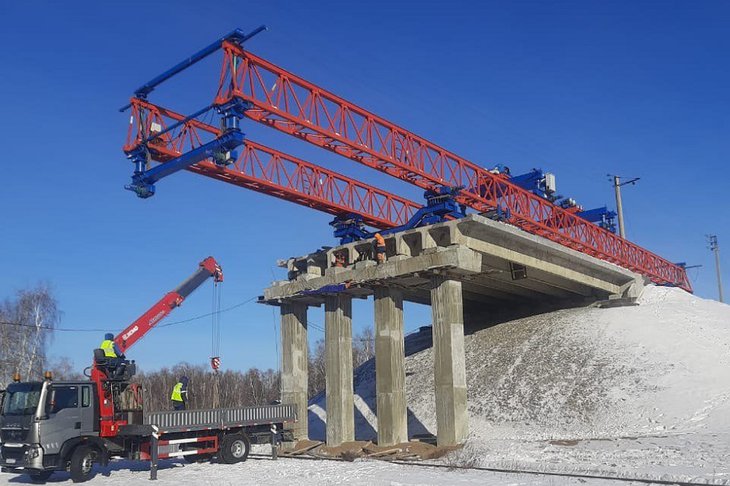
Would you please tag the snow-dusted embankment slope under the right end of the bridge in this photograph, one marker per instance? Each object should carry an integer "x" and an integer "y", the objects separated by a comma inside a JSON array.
[{"x": 599, "y": 373}]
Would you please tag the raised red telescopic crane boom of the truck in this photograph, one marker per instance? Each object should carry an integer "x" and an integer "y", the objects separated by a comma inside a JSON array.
[{"x": 136, "y": 330}]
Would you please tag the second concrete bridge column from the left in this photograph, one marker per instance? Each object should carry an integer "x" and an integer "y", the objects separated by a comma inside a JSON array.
[{"x": 338, "y": 369}]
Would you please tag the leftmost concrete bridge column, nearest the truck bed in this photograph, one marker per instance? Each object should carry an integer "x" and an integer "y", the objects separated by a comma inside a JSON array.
[{"x": 295, "y": 364}]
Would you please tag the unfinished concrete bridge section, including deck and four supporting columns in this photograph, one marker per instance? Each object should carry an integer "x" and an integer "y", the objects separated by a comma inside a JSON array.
[{"x": 470, "y": 267}]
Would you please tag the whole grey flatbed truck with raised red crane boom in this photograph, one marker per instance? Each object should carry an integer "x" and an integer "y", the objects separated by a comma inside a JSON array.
[{"x": 48, "y": 425}]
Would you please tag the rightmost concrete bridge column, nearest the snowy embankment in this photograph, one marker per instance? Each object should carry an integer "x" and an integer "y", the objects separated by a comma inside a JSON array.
[{"x": 449, "y": 368}]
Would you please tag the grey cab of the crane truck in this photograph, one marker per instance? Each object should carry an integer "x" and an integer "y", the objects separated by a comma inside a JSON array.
[{"x": 41, "y": 423}]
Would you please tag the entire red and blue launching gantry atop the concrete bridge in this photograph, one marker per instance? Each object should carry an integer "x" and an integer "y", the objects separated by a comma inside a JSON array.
[{"x": 253, "y": 88}]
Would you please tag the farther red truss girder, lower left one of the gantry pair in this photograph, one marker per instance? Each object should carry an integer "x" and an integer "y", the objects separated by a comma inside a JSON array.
[{"x": 270, "y": 171}]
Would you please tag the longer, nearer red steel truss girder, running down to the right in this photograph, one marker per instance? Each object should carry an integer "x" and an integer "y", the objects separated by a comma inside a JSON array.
[{"x": 295, "y": 106}]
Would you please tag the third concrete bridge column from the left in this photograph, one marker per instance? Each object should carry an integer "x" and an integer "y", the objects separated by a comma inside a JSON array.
[{"x": 390, "y": 373}]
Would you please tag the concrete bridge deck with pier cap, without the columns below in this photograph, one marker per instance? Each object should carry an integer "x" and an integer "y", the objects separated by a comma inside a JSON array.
[{"x": 495, "y": 261}]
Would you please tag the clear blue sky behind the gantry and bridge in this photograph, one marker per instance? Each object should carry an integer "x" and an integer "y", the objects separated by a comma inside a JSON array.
[{"x": 579, "y": 88}]
